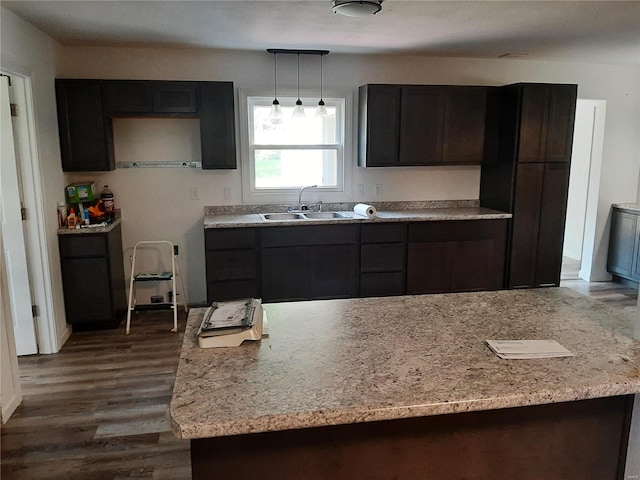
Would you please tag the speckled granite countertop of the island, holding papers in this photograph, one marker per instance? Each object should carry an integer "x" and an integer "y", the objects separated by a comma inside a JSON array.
[{"x": 367, "y": 359}]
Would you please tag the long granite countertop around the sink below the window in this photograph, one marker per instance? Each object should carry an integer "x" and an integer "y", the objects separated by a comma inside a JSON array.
[{"x": 232, "y": 219}]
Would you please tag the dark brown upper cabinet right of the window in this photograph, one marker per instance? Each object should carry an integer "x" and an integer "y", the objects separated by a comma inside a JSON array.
[{"x": 402, "y": 125}]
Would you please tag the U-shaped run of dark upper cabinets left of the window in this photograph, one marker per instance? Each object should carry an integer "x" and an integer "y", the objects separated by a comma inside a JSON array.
[{"x": 86, "y": 109}]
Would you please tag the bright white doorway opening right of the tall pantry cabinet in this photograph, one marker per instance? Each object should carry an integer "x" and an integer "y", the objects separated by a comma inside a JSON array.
[{"x": 584, "y": 188}]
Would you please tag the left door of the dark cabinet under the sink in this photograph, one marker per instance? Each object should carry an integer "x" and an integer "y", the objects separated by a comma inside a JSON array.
[{"x": 285, "y": 274}]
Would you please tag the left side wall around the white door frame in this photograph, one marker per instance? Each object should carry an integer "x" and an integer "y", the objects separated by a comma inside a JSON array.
[{"x": 29, "y": 52}]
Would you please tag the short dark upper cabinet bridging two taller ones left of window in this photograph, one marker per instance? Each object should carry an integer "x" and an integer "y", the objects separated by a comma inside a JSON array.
[{"x": 150, "y": 97}]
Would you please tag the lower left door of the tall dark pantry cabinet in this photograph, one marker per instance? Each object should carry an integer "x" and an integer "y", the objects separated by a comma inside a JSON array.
[{"x": 525, "y": 224}]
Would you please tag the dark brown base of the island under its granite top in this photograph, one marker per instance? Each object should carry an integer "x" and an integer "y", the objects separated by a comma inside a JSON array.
[{"x": 580, "y": 440}]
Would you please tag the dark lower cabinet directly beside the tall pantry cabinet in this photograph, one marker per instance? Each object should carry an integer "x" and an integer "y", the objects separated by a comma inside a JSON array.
[{"x": 456, "y": 256}]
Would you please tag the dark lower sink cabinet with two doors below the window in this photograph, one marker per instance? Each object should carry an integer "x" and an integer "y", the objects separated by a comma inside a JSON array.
[{"x": 309, "y": 262}]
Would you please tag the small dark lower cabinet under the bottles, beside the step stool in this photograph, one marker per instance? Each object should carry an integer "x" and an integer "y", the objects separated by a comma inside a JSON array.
[{"x": 93, "y": 279}]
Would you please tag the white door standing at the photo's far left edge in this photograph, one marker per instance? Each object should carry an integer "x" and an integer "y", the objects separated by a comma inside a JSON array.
[{"x": 13, "y": 234}]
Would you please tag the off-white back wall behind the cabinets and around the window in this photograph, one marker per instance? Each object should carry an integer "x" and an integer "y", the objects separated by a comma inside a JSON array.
[{"x": 169, "y": 190}]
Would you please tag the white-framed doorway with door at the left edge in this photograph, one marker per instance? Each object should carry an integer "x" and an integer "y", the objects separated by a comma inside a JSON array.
[{"x": 28, "y": 270}]
